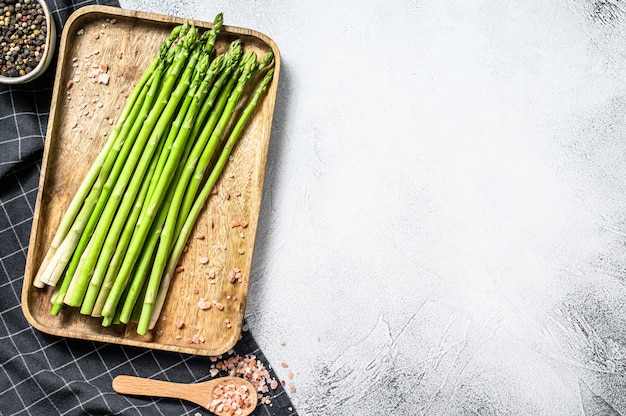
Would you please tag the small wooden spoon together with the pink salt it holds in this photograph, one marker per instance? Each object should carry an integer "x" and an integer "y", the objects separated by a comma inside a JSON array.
[{"x": 216, "y": 395}]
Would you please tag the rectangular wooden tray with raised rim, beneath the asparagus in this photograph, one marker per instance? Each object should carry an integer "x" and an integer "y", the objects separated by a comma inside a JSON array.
[{"x": 79, "y": 118}]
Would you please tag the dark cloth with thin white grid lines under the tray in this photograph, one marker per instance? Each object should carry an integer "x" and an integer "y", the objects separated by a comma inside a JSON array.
[{"x": 47, "y": 375}]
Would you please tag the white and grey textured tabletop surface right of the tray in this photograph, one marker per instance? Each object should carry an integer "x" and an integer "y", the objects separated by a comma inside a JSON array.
[{"x": 445, "y": 204}]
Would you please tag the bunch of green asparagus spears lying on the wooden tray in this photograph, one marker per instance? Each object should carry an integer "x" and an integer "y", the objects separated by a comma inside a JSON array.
[{"x": 118, "y": 245}]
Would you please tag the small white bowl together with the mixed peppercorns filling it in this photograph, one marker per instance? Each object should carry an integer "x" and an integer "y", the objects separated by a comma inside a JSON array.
[{"x": 27, "y": 40}]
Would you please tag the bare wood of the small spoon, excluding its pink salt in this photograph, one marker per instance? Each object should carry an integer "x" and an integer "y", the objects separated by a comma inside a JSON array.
[{"x": 199, "y": 393}]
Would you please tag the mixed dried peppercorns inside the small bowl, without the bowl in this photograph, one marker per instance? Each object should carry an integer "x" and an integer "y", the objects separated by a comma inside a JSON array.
[{"x": 23, "y": 30}]
